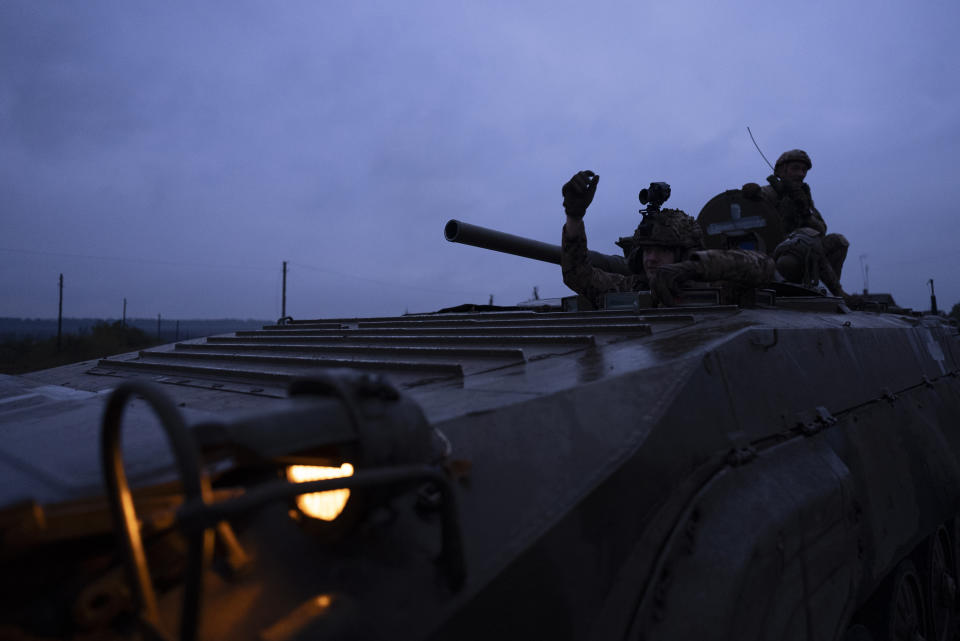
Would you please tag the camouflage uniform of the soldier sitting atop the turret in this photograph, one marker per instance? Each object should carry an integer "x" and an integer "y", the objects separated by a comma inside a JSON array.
[{"x": 797, "y": 211}]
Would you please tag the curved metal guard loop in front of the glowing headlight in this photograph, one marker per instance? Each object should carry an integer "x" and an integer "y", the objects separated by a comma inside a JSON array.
[{"x": 196, "y": 488}]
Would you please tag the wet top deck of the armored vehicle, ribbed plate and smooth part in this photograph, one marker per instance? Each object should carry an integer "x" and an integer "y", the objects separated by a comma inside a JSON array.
[{"x": 453, "y": 366}]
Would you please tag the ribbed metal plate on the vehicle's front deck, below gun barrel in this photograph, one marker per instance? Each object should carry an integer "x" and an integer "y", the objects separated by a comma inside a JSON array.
[{"x": 412, "y": 351}]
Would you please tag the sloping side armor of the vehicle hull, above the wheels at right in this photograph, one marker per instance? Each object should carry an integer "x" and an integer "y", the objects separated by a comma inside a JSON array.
[{"x": 768, "y": 519}]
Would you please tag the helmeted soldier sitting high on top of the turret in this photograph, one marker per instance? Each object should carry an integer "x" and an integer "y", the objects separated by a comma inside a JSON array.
[{"x": 787, "y": 192}]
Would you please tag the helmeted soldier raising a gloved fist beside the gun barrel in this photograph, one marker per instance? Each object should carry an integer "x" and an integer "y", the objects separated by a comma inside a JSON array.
[{"x": 668, "y": 252}]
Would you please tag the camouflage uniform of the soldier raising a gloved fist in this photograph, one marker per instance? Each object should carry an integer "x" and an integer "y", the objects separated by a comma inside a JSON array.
[{"x": 739, "y": 266}]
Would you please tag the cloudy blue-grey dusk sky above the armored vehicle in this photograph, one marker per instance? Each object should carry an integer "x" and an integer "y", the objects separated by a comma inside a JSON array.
[{"x": 177, "y": 153}]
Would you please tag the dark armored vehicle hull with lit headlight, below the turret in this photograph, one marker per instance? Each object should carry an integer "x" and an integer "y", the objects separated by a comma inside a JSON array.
[{"x": 777, "y": 466}]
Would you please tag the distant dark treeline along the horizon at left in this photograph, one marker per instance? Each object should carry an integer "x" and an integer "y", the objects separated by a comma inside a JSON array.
[{"x": 41, "y": 328}]
